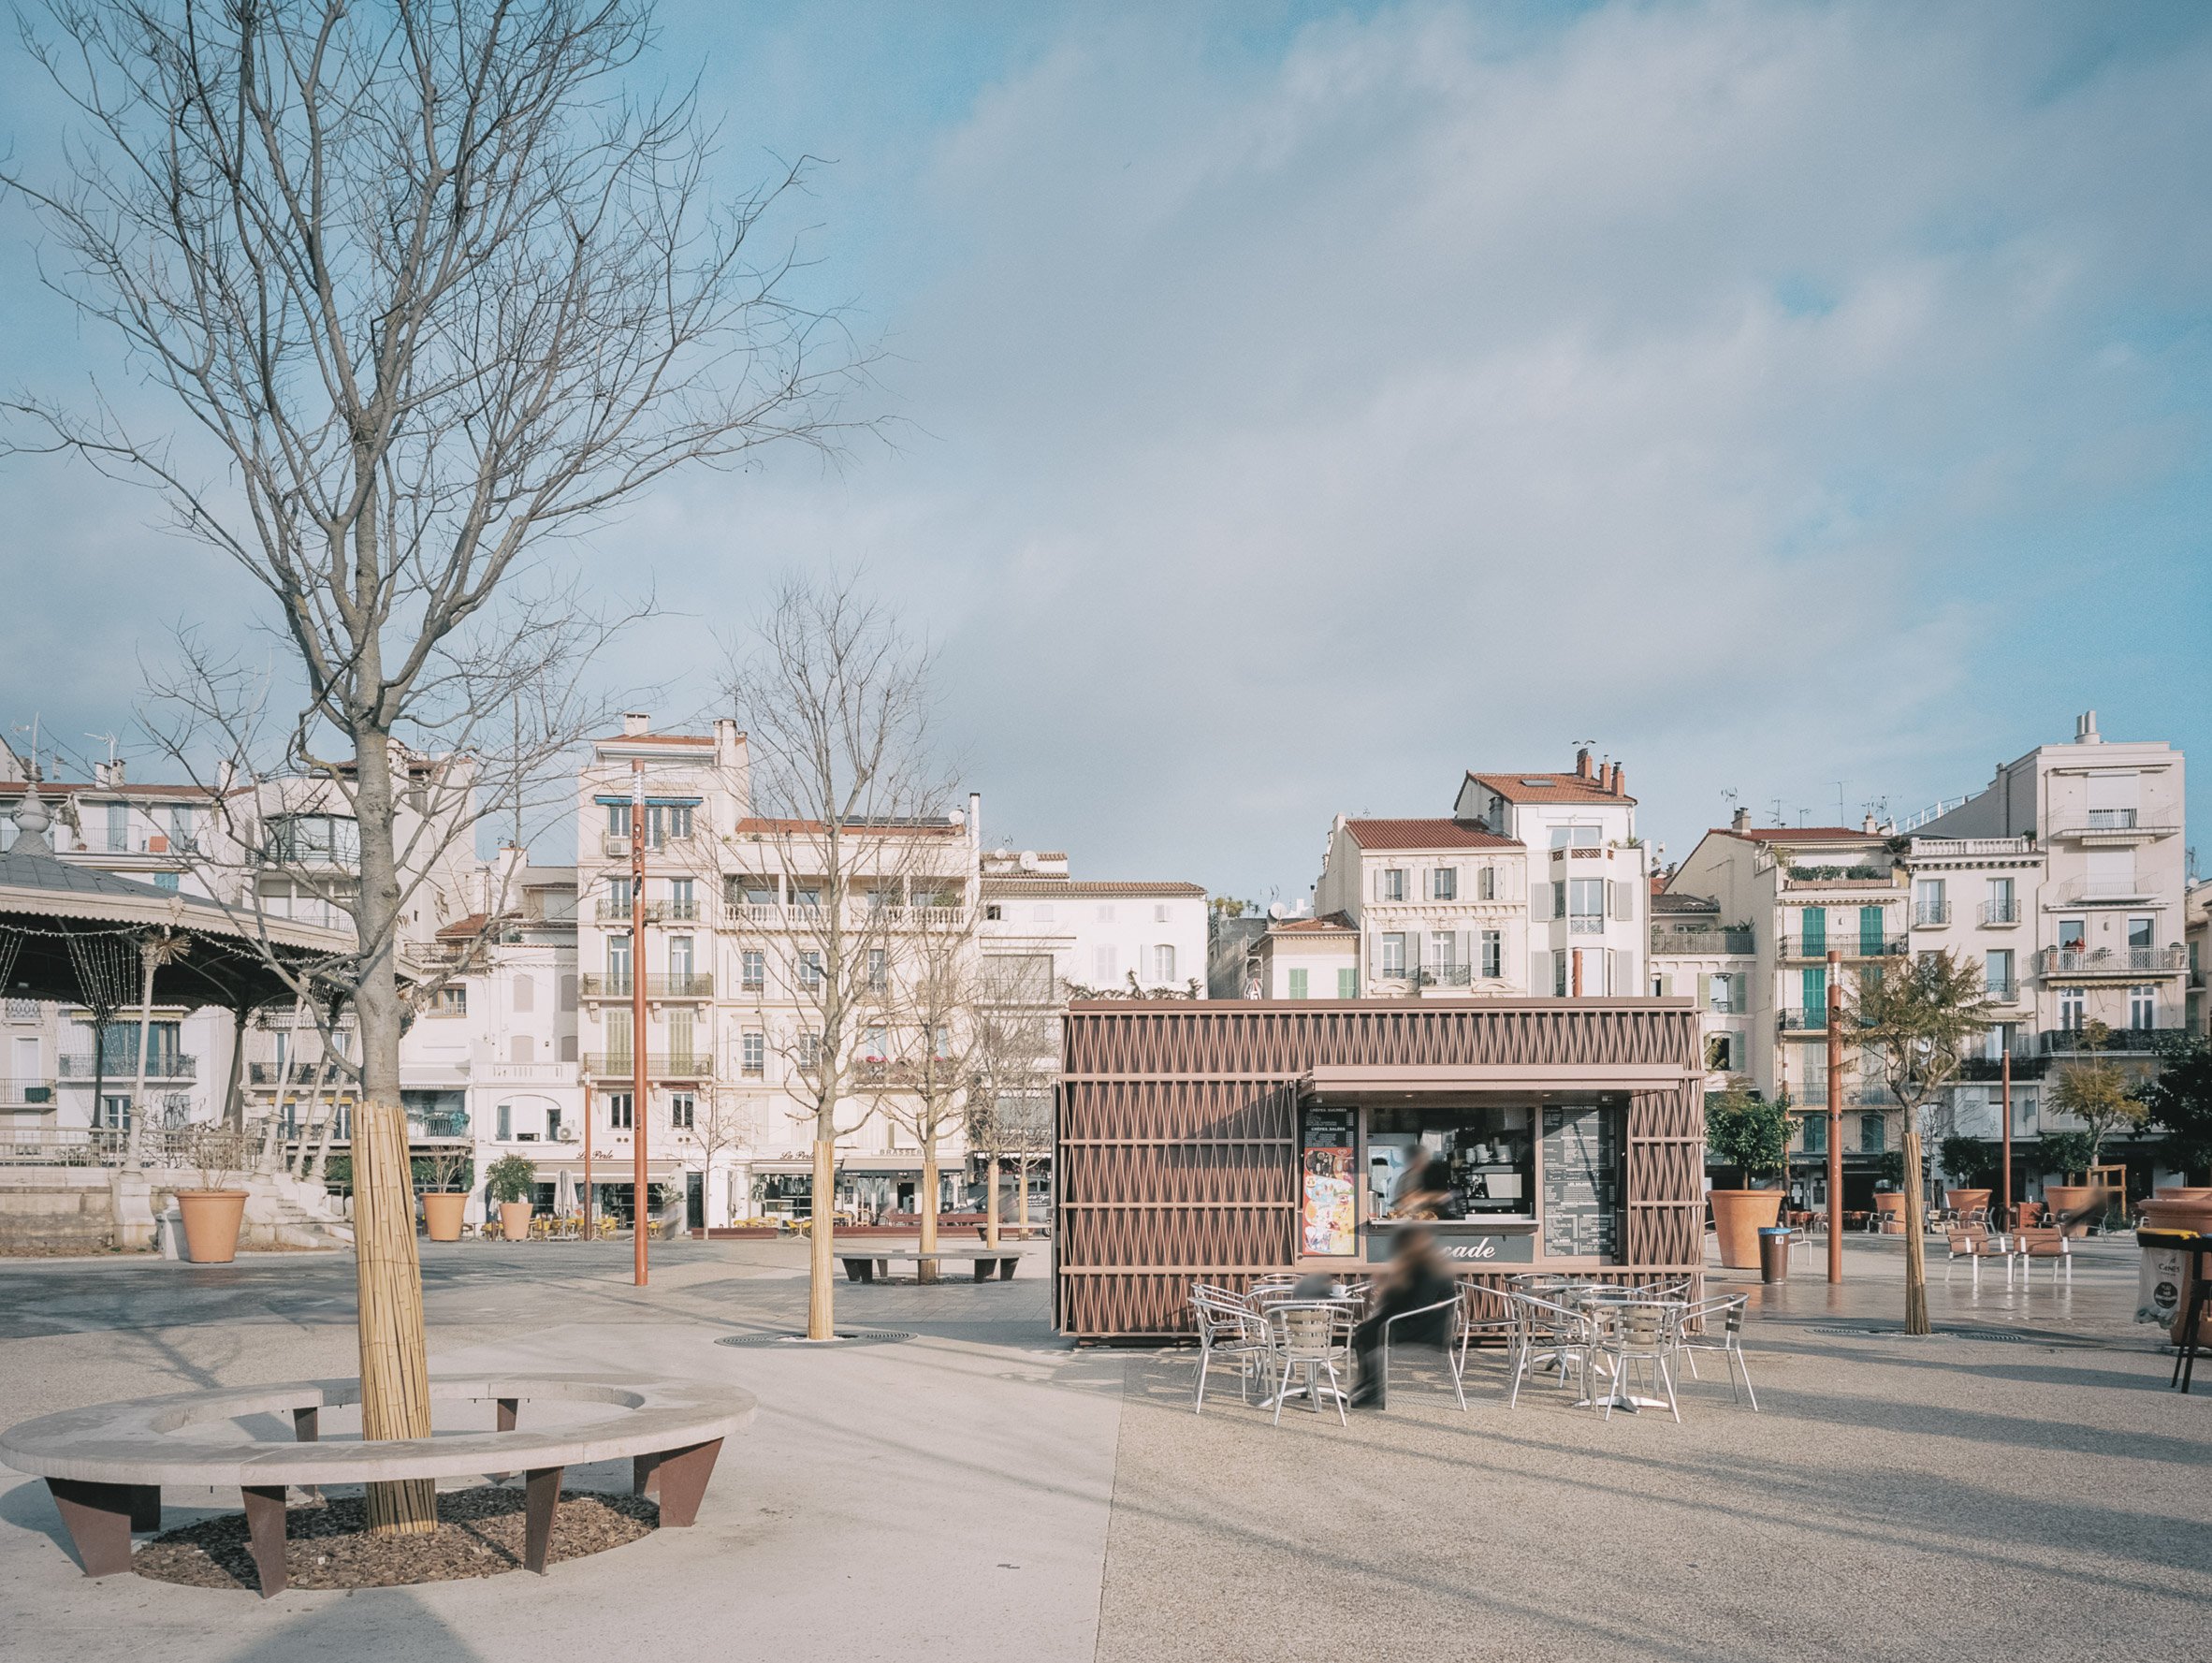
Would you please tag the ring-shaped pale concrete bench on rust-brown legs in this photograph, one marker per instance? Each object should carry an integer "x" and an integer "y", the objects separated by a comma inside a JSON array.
[{"x": 107, "y": 1465}]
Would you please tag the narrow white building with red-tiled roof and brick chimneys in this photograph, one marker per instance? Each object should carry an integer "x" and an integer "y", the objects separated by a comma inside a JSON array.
[{"x": 1589, "y": 875}]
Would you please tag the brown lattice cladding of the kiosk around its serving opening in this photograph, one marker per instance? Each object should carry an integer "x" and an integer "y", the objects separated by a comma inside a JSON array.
[{"x": 1178, "y": 1133}]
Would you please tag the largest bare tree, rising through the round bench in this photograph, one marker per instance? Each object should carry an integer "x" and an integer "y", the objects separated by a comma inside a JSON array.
[{"x": 432, "y": 289}]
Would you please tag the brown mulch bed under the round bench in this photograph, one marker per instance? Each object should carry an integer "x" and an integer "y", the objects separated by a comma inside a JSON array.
[{"x": 328, "y": 1545}]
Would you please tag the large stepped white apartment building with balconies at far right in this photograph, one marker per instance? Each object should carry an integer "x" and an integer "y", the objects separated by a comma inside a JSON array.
[{"x": 2065, "y": 879}]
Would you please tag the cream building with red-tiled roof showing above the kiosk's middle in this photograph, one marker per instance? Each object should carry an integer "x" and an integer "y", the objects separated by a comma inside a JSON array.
[{"x": 1434, "y": 908}]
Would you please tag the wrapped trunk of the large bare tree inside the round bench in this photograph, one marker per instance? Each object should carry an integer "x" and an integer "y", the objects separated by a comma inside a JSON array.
[{"x": 395, "y": 1350}]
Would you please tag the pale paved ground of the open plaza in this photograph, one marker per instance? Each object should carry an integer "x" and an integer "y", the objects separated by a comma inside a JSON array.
[{"x": 2021, "y": 1485}]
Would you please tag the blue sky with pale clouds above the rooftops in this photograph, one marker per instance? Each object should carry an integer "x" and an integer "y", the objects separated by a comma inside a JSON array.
[{"x": 1291, "y": 408}]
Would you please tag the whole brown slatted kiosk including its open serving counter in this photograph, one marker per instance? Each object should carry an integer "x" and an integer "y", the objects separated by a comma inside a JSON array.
[{"x": 1227, "y": 1140}]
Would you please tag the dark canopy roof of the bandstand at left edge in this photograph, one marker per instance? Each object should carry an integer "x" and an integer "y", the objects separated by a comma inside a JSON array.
[{"x": 61, "y": 923}]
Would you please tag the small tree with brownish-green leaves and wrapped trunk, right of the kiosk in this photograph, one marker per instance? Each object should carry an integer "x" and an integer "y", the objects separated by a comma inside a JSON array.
[{"x": 1921, "y": 1023}]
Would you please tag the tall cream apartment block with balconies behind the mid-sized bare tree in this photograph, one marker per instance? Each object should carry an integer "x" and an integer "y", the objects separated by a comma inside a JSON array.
[{"x": 735, "y": 979}]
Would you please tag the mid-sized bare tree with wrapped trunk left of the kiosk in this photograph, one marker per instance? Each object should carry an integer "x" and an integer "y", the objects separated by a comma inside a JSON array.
[{"x": 848, "y": 808}]
